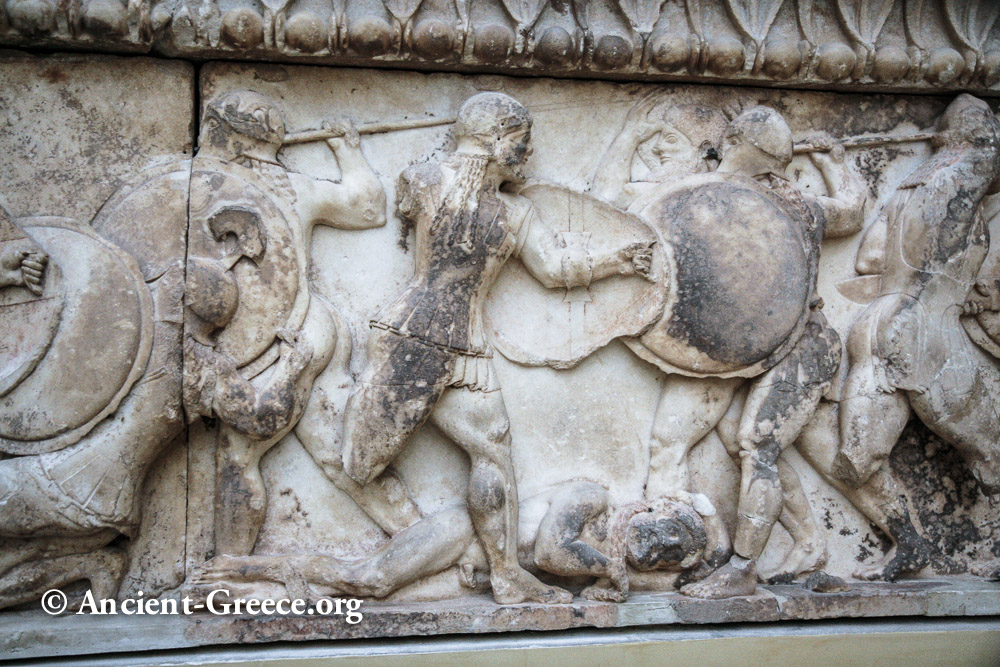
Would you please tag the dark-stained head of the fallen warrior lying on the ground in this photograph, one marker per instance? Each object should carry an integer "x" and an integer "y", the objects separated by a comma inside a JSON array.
[{"x": 669, "y": 536}]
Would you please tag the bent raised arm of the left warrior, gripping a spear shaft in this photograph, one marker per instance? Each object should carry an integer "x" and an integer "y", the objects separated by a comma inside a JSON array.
[{"x": 356, "y": 202}]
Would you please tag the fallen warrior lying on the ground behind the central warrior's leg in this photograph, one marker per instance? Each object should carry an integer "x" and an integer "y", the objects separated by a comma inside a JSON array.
[{"x": 570, "y": 530}]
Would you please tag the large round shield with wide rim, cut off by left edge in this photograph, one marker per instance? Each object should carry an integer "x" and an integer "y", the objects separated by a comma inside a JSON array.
[{"x": 99, "y": 346}]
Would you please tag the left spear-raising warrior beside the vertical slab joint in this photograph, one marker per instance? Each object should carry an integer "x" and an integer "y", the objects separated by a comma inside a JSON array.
[{"x": 243, "y": 132}]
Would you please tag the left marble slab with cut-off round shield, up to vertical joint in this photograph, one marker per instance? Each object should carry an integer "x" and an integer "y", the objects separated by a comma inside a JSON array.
[{"x": 94, "y": 226}]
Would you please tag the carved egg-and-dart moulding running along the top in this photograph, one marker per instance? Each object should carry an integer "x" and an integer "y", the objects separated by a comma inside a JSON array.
[{"x": 892, "y": 44}]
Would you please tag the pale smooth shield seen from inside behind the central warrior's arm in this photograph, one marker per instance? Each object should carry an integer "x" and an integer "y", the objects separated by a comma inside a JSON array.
[{"x": 536, "y": 326}]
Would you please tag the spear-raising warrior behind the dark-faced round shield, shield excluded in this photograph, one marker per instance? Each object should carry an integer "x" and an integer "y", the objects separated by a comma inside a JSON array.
[{"x": 779, "y": 402}]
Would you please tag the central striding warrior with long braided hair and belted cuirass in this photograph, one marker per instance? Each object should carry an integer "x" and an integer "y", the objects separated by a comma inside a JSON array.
[{"x": 427, "y": 354}]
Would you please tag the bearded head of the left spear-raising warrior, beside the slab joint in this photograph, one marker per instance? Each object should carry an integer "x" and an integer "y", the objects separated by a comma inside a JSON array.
[{"x": 241, "y": 123}]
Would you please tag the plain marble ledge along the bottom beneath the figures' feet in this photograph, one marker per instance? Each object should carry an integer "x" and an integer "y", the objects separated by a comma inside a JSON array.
[{"x": 27, "y": 635}]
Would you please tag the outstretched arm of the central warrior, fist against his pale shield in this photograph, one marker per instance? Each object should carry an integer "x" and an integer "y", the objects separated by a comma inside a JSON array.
[{"x": 555, "y": 262}]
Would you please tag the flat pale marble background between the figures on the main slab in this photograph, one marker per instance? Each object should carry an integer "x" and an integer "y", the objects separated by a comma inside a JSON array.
[{"x": 561, "y": 430}]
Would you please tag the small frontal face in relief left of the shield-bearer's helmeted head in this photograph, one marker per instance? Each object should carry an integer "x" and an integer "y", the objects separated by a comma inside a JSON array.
[{"x": 688, "y": 137}]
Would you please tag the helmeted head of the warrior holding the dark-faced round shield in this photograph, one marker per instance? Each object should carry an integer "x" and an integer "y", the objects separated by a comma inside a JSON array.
[{"x": 757, "y": 141}]
